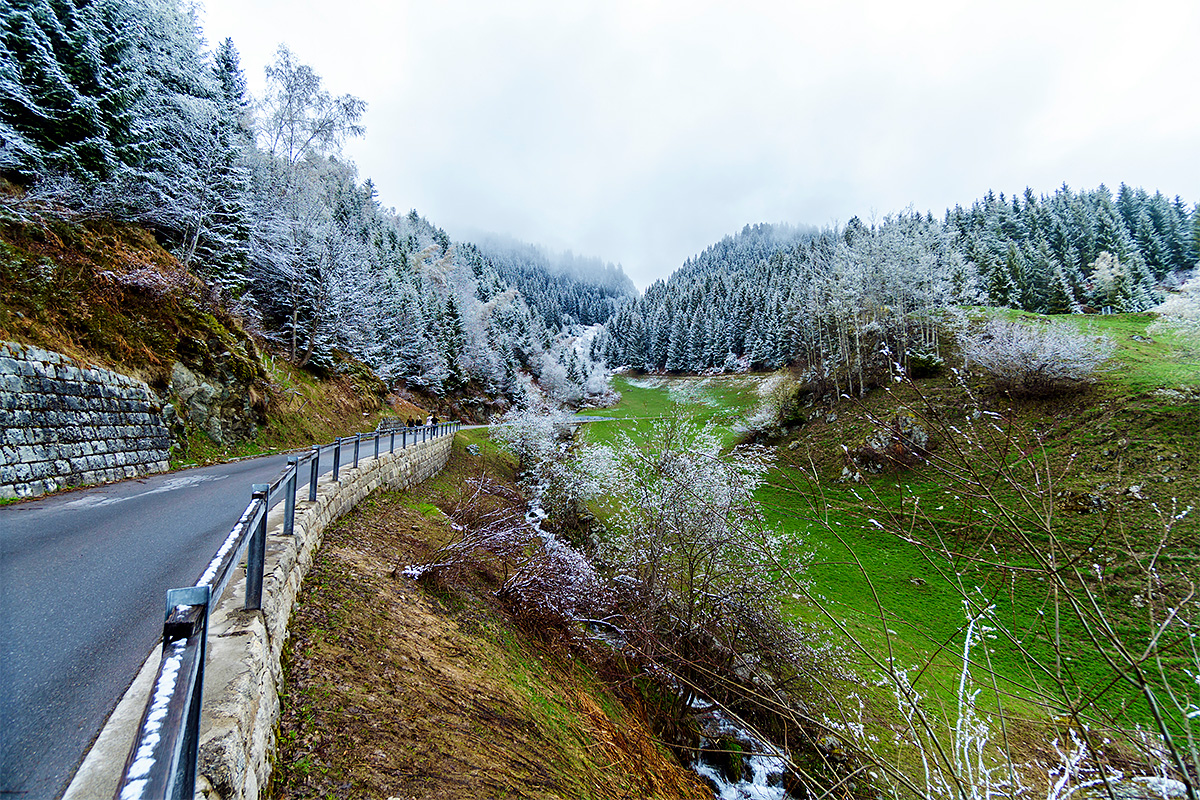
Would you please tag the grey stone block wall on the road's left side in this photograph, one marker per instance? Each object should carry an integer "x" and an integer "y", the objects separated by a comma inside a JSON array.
[{"x": 67, "y": 425}]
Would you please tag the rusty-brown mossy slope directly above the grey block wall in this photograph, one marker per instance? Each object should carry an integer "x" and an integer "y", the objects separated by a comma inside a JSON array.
[{"x": 106, "y": 292}]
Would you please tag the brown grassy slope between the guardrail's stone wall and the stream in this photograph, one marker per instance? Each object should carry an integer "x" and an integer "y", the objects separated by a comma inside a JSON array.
[{"x": 395, "y": 690}]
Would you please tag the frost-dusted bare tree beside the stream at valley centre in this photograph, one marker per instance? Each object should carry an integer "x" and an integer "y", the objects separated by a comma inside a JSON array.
[{"x": 688, "y": 534}]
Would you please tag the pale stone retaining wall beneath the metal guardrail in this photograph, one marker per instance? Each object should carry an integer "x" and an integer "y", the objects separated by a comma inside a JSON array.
[{"x": 243, "y": 673}]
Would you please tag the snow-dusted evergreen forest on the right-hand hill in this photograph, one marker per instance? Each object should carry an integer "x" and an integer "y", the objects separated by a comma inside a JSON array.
[{"x": 853, "y": 305}]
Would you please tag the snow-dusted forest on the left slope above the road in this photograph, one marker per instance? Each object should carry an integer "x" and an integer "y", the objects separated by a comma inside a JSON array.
[{"x": 117, "y": 109}]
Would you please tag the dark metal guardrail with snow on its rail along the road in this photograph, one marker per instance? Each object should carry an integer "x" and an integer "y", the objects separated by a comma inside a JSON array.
[{"x": 164, "y": 757}]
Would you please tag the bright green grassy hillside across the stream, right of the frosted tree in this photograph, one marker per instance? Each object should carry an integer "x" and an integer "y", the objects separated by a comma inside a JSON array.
[{"x": 892, "y": 555}]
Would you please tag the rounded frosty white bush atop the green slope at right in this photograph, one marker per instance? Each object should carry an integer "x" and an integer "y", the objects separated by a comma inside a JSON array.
[{"x": 1037, "y": 360}]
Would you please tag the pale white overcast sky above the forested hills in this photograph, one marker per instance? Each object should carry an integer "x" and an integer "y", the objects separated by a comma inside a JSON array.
[{"x": 643, "y": 133}]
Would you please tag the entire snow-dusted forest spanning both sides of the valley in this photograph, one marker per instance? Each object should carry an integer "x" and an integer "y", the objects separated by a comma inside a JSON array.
[{"x": 119, "y": 110}]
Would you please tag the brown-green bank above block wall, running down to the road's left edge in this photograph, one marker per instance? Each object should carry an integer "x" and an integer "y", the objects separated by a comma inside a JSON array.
[{"x": 109, "y": 296}]
